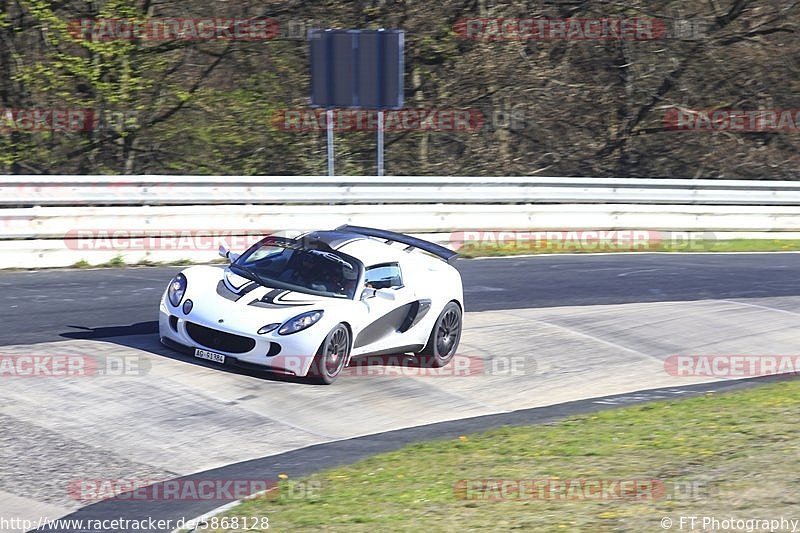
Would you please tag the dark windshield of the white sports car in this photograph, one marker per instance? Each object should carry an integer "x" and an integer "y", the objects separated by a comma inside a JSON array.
[{"x": 285, "y": 263}]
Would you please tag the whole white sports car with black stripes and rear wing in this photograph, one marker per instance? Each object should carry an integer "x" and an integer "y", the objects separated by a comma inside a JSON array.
[{"x": 304, "y": 306}]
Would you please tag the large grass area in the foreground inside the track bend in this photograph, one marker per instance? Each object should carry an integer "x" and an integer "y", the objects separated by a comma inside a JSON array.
[{"x": 740, "y": 450}]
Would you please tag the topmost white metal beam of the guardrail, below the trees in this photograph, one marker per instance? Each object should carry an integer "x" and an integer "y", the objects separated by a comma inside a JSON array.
[{"x": 305, "y": 190}]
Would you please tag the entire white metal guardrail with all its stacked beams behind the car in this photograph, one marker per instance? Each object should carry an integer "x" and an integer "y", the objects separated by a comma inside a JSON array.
[{"x": 50, "y": 221}]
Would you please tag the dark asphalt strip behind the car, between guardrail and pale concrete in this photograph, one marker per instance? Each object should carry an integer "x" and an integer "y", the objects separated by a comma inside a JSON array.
[{"x": 51, "y": 305}]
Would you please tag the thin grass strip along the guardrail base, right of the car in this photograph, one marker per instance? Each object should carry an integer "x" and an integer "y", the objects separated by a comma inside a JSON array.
[{"x": 470, "y": 250}]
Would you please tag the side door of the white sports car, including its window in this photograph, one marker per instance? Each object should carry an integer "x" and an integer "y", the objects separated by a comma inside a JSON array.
[{"x": 389, "y": 303}]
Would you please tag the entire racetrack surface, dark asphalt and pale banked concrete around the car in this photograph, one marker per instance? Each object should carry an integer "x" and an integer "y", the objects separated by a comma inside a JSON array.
[{"x": 596, "y": 326}]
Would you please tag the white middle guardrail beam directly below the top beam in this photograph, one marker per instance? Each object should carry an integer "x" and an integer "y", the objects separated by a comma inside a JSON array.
[{"x": 66, "y": 222}]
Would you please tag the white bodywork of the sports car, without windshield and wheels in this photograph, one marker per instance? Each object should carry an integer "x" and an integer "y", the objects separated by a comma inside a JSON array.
[{"x": 228, "y": 309}]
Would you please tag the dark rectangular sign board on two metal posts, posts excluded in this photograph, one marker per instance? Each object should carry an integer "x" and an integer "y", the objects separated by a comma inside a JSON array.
[{"x": 361, "y": 69}]
